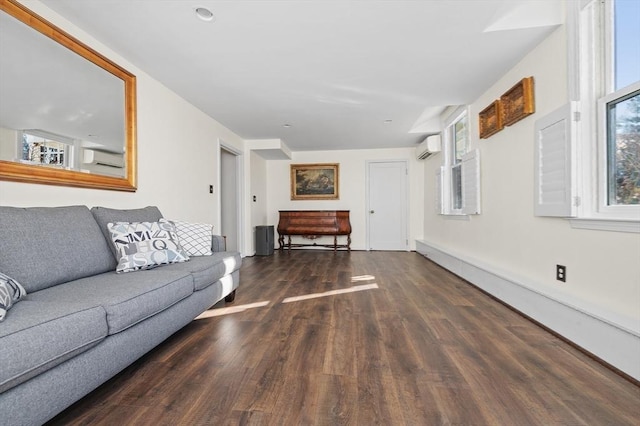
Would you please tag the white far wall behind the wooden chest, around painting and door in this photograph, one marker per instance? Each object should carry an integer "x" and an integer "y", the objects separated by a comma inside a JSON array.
[{"x": 352, "y": 188}]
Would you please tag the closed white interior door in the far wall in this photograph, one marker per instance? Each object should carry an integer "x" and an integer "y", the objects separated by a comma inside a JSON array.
[{"x": 387, "y": 205}]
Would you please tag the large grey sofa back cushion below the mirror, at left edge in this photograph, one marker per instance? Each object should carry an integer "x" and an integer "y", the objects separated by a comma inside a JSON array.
[{"x": 45, "y": 246}]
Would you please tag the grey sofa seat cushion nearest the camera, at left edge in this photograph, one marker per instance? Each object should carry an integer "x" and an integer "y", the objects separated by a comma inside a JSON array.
[{"x": 37, "y": 336}]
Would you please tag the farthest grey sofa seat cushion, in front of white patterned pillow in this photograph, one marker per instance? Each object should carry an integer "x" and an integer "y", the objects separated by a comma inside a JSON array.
[{"x": 206, "y": 270}]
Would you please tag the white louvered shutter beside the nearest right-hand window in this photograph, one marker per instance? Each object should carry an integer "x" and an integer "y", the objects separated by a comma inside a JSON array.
[{"x": 553, "y": 175}]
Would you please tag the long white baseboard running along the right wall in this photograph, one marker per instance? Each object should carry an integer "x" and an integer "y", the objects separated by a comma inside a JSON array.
[{"x": 606, "y": 335}]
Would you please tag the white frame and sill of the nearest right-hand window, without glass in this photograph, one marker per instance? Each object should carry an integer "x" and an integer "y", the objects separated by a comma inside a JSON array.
[{"x": 590, "y": 77}]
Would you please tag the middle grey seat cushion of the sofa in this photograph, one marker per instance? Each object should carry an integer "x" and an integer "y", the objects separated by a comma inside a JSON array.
[{"x": 127, "y": 298}]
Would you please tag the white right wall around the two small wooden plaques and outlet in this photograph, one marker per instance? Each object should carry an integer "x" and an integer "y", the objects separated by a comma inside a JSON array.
[{"x": 603, "y": 278}]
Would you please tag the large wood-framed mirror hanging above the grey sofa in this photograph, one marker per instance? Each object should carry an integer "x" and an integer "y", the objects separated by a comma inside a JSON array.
[{"x": 67, "y": 113}]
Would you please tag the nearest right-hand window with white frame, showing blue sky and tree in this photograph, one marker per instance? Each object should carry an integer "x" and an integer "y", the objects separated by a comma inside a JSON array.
[{"x": 605, "y": 55}]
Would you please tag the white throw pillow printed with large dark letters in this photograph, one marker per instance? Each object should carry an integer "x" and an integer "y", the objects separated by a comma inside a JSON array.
[{"x": 145, "y": 245}]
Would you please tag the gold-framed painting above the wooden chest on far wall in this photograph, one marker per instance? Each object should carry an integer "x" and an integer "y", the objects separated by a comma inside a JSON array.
[{"x": 315, "y": 181}]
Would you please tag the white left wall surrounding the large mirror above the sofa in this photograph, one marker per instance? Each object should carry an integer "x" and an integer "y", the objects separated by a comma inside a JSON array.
[{"x": 178, "y": 152}]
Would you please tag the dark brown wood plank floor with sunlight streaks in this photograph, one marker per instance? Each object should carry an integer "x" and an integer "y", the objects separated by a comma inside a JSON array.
[{"x": 424, "y": 348}]
